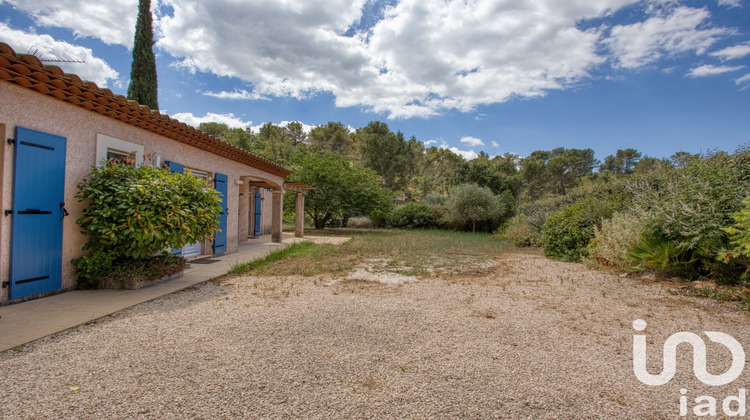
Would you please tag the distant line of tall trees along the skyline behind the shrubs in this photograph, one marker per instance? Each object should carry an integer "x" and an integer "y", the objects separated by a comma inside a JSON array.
[{"x": 409, "y": 169}]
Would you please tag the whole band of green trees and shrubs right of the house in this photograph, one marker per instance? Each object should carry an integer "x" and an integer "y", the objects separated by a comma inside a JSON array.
[{"x": 686, "y": 216}]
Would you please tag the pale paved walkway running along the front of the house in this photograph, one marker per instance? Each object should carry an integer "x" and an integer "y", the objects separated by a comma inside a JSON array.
[{"x": 27, "y": 321}]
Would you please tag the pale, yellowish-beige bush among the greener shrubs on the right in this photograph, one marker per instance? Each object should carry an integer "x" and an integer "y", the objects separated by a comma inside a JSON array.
[{"x": 614, "y": 239}]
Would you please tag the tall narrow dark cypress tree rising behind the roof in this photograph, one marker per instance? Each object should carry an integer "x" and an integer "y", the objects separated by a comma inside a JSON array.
[{"x": 143, "y": 85}]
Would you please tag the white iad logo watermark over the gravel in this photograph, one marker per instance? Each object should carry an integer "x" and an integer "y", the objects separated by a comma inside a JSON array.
[{"x": 705, "y": 404}]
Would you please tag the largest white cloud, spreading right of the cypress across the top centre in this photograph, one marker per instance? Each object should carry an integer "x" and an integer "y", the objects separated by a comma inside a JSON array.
[{"x": 424, "y": 57}]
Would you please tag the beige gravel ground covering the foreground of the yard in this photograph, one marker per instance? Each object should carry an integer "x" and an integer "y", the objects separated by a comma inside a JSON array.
[{"x": 531, "y": 339}]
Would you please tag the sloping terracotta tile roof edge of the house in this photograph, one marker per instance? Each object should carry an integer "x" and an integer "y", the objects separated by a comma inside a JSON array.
[{"x": 28, "y": 72}]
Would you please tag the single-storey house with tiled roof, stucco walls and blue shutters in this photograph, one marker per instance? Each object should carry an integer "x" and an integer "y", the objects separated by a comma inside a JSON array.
[{"x": 58, "y": 126}]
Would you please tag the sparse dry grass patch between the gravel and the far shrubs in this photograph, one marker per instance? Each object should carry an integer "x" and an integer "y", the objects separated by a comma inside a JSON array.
[{"x": 418, "y": 251}]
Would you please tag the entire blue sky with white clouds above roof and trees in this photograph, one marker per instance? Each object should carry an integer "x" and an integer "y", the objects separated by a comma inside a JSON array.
[{"x": 515, "y": 76}]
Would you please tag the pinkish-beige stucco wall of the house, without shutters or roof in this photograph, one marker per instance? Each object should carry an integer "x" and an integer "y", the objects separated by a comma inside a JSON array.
[{"x": 25, "y": 108}]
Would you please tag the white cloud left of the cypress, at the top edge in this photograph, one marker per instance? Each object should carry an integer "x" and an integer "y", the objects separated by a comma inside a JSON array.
[{"x": 112, "y": 21}]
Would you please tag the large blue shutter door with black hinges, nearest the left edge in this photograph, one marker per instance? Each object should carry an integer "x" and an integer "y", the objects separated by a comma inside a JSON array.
[{"x": 38, "y": 211}]
